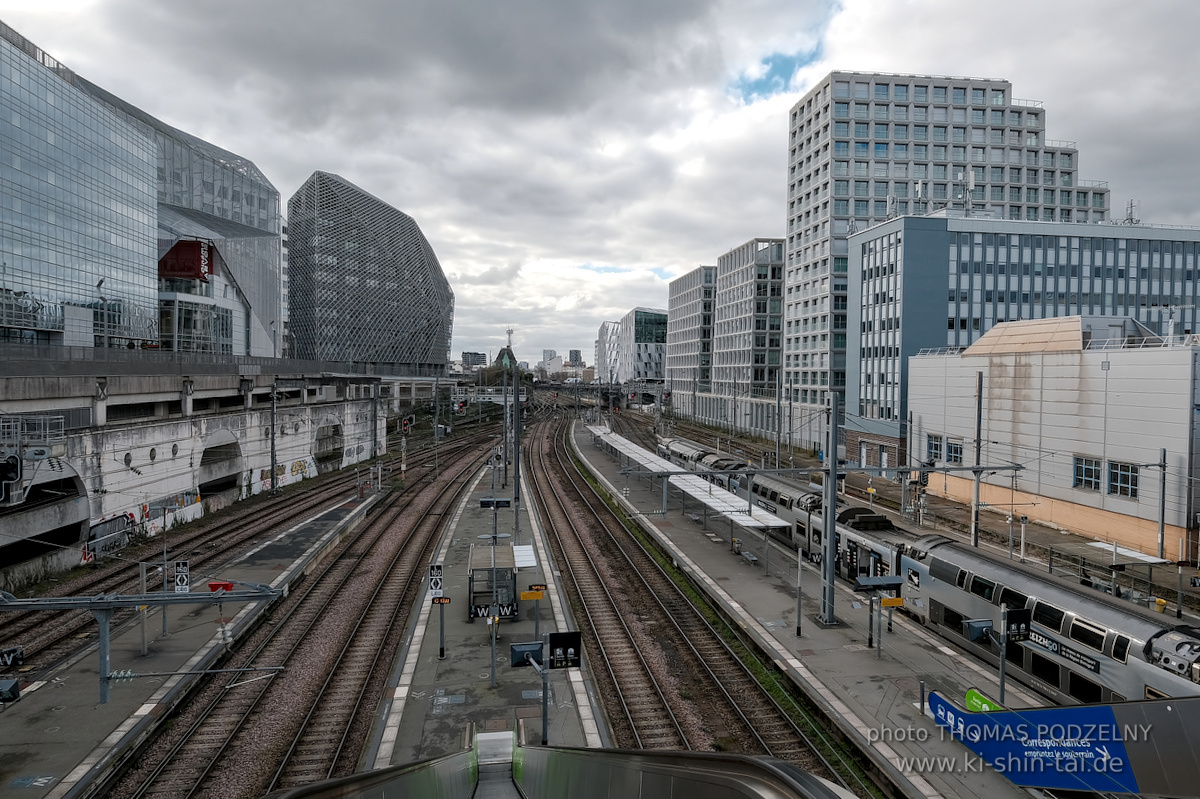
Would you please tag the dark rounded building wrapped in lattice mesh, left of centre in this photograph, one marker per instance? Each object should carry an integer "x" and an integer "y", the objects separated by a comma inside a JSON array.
[{"x": 365, "y": 284}]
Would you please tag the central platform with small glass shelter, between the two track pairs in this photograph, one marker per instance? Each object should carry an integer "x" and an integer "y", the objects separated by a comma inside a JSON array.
[{"x": 437, "y": 702}]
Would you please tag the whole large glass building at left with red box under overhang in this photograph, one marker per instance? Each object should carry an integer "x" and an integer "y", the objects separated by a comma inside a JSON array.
[{"x": 81, "y": 262}]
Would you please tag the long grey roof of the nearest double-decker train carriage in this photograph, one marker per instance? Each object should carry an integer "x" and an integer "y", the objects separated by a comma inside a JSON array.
[{"x": 1093, "y": 605}]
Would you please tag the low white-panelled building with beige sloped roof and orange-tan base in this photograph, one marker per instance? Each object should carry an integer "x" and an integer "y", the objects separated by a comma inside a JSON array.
[{"x": 1067, "y": 400}]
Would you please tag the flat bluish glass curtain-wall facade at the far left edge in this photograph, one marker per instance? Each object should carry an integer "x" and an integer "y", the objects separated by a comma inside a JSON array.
[{"x": 77, "y": 211}]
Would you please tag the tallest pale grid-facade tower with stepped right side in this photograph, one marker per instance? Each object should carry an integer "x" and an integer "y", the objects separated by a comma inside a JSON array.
[{"x": 868, "y": 147}]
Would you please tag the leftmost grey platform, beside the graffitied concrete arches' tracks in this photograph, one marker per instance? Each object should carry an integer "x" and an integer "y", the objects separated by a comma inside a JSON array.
[{"x": 58, "y": 736}]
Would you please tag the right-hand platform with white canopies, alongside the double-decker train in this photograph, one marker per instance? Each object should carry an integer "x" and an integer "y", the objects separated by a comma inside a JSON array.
[{"x": 873, "y": 696}]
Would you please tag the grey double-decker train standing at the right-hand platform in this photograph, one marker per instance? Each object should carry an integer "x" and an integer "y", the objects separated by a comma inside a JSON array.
[{"x": 1084, "y": 647}]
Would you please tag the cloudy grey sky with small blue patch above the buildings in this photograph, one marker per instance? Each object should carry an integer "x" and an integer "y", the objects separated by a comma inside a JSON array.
[{"x": 567, "y": 159}]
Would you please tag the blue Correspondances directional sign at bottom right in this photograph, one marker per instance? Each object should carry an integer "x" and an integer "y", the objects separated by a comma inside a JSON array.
[{"x": 1075, "y": 748}]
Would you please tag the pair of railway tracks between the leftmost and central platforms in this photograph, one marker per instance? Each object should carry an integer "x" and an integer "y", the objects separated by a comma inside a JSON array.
[{"x": 245, "y": 737}]
